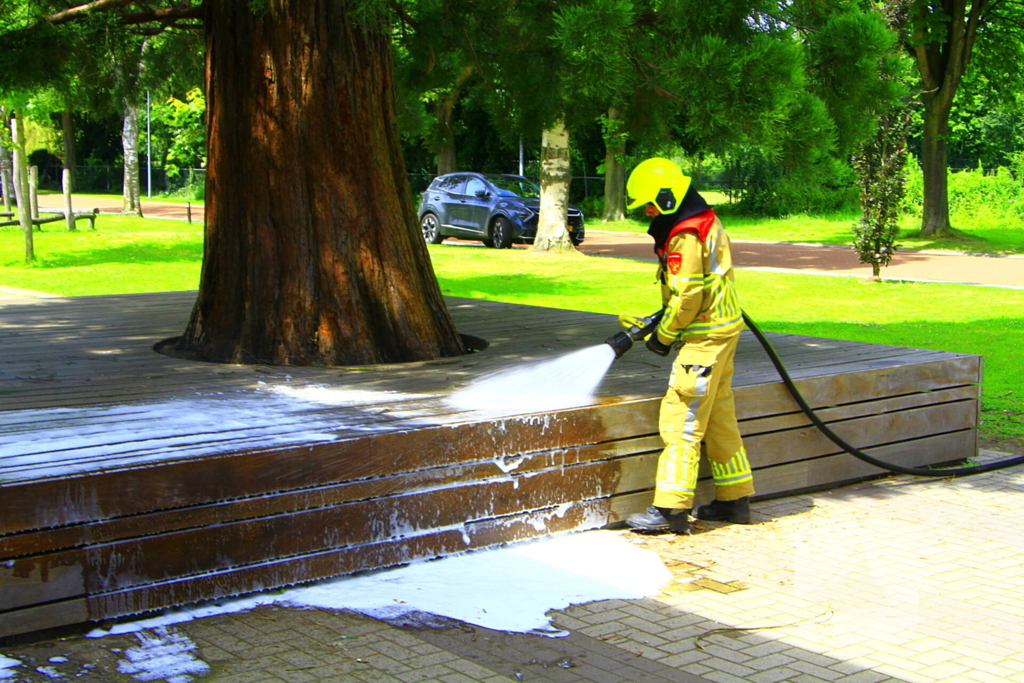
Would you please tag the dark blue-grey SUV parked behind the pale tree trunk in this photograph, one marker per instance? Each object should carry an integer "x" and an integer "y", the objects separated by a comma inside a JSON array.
[{"x": 496, "y": 209}]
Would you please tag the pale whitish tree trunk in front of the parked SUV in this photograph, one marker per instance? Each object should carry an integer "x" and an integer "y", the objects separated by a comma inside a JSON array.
[{"x": 557, "y": 175}]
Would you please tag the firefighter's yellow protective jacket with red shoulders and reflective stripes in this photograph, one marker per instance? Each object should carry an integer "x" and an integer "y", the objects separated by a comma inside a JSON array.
[{"x": 698, "y": 285}]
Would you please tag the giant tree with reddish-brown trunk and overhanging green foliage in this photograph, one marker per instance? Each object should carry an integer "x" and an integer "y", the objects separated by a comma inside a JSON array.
[{"x": 310, "y": 215}]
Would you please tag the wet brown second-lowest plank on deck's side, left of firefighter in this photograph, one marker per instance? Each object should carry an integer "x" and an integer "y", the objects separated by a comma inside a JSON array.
[{"x": 103, "y": 568}]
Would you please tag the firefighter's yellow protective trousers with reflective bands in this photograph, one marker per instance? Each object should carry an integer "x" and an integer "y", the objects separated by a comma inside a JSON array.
[{"x": 699, "y": 407}]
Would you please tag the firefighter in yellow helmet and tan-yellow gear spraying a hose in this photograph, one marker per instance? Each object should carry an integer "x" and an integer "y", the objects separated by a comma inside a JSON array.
[{"x": 703, "y": 319}]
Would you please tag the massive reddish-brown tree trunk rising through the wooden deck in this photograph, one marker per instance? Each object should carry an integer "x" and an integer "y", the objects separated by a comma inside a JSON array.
[{"x": 313, "y": 254}]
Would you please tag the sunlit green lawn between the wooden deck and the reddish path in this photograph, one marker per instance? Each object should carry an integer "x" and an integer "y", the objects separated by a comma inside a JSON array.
[{"x": 126, "y": 255}]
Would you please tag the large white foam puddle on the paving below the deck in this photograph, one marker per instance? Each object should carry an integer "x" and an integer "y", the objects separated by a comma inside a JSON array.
[{"x": 508, "y": 589}]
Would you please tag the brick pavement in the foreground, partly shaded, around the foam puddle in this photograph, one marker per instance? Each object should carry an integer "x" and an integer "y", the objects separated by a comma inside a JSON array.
[{"x": 900, "y": 580}]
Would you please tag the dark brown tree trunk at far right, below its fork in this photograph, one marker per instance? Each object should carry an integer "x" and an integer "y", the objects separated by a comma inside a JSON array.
[{"x": 935, "y": 167}]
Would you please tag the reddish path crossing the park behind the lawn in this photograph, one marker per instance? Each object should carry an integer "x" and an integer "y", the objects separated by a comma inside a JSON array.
[{"x": 819, "y": 260}]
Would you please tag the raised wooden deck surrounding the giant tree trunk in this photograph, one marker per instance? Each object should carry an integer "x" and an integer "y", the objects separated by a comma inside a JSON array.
[{"x": 133, "y": 482}]
